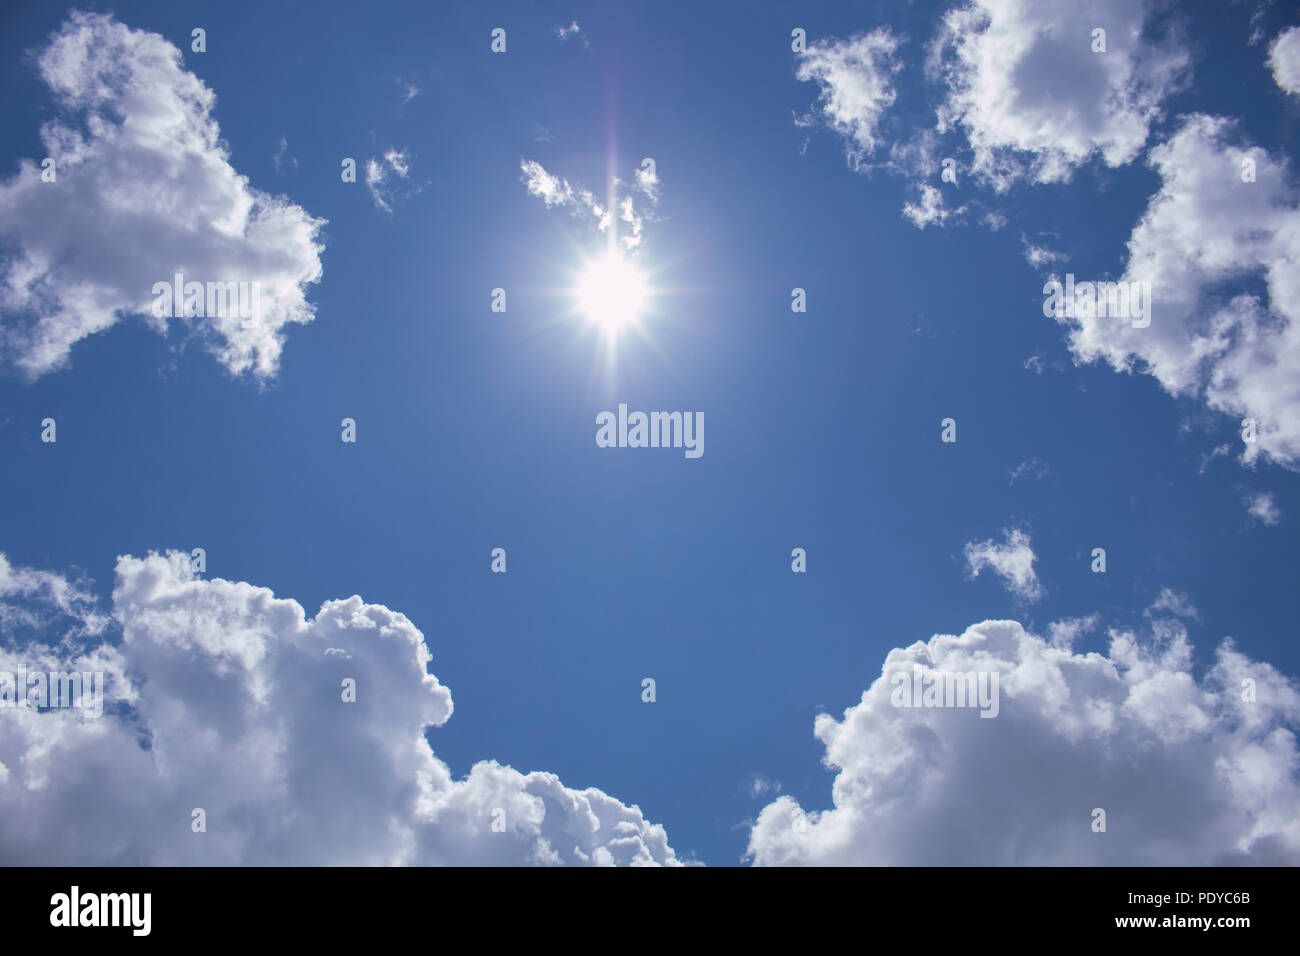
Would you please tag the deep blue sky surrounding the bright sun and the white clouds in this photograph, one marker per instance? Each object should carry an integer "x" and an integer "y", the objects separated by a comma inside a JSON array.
[{"x": 475, "y": 429}]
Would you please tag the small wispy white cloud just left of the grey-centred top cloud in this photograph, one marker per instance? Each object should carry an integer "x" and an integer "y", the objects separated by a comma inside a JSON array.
[{"x": 856, "y": 80}]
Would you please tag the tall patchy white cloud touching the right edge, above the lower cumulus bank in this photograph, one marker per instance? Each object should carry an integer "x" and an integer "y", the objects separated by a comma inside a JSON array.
[{"x": 1224, "y": 222}]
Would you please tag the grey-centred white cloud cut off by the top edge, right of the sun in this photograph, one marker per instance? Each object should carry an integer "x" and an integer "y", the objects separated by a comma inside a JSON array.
[{"x": 1034, "y": 100}]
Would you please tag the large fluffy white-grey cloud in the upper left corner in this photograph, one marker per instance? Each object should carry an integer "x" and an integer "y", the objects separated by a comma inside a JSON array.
[{"x": 145, "y": 191}]
